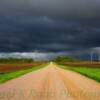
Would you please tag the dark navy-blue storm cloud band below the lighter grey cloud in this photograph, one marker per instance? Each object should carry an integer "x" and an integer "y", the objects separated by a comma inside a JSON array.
[{"x": 46, "y": 34}]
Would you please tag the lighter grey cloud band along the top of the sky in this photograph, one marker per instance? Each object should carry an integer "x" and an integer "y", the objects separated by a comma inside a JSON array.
[{"x": 52, "y": 8}]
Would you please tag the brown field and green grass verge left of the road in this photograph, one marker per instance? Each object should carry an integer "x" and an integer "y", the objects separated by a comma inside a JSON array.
[{"x": 11, "y": 71}]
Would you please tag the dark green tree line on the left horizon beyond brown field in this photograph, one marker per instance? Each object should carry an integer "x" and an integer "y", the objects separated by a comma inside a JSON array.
[{"x": 16, "y": 60}]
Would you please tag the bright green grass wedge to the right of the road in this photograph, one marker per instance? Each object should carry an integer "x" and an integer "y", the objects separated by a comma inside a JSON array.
[{"x": 93, "y": 73}]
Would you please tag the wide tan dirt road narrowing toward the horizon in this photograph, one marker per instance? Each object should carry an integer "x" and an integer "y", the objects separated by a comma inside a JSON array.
[{"x": 50, "y": 83}]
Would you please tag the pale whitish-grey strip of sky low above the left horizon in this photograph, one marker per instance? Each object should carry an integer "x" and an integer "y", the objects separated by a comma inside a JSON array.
[{"x": 32, "y": 55}]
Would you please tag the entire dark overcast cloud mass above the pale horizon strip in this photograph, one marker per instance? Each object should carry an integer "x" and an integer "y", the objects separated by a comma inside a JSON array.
[{"x": 49, "y": 25}]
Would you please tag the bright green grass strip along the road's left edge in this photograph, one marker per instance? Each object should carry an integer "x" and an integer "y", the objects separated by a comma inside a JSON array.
[{"x": 14, "y": 74}]
